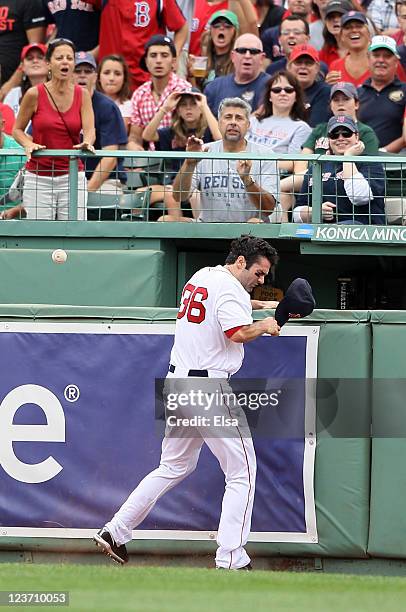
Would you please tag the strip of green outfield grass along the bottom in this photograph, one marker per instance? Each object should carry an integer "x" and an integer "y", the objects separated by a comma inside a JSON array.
[{"x": 169, "y": 589}]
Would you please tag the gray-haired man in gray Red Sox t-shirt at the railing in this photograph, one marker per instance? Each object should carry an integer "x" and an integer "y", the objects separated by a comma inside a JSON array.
[{"x": 230, "y": 190}]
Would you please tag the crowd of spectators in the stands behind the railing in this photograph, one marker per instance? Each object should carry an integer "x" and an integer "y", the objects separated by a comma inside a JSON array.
[{"x": 262, "y": 76}]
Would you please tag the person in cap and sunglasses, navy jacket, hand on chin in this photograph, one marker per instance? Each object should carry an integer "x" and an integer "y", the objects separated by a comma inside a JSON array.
[{"x": 352, "y": 193}]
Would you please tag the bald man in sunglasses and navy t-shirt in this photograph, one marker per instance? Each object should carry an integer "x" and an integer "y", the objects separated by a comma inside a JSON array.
[{"x": 247, "y": 82}]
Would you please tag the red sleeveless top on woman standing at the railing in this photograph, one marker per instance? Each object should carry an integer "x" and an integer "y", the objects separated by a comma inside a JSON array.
[{"x": 48, "y": 129}]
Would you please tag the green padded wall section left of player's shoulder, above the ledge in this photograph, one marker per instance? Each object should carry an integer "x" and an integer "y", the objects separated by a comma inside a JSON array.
[{"x": 89, "y": 277}]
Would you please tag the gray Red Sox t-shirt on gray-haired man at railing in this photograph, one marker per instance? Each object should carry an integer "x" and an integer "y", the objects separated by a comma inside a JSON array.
[{"x": 223, "y": 197}]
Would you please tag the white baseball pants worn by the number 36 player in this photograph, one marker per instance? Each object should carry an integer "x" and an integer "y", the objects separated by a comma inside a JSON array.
[{"x": 180, "y": 453}]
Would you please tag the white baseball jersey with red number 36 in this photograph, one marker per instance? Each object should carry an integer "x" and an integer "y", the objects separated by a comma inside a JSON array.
[{"x": 213, "y": 304}]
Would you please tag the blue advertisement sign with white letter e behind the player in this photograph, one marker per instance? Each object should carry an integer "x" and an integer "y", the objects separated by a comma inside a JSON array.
[{"x": 78, "y": 432}]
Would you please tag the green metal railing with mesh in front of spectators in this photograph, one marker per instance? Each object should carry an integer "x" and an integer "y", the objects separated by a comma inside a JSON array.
[{"x": 134, "y": 201}]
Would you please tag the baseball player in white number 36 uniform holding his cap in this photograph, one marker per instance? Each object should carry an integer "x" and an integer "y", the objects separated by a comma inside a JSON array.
[{"x": 213, "y": 323}]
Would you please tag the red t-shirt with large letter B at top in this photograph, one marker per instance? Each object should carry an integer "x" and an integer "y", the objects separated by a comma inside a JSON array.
[{"x": 126, "y": 26}]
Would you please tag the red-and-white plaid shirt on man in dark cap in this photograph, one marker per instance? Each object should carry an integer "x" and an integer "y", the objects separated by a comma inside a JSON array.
[{"x": 144, "y": 107}]
